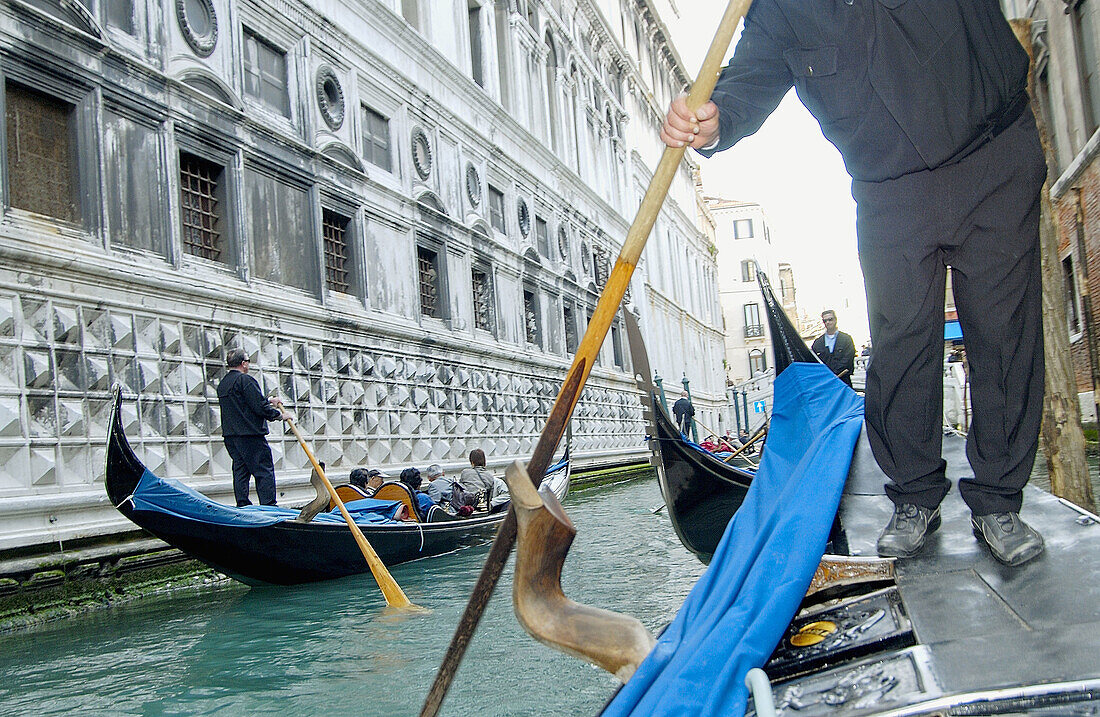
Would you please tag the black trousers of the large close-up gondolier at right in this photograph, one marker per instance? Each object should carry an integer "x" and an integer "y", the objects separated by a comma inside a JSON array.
[{"x": 981, "y": 217}]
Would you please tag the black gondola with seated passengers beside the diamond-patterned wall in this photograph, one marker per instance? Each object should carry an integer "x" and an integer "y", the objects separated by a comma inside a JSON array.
[{"x": 260, "y": 546}]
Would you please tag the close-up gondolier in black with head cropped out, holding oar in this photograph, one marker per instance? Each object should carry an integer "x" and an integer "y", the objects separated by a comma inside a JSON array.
[{"x": 927, "y": 103}]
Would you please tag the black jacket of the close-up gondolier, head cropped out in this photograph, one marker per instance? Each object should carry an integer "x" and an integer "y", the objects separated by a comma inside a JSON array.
[{"x": 898, "y": 86}]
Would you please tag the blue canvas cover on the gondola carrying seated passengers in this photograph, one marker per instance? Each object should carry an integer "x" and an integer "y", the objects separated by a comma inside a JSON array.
[{"x": 174, "y": 499}]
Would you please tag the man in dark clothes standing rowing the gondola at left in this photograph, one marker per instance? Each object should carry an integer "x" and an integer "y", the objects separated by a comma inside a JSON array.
[{"x": 245, "y": 416}]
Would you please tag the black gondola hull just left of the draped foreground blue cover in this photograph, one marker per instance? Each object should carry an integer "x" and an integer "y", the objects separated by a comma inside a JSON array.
[{"x": 700, "y": 490}]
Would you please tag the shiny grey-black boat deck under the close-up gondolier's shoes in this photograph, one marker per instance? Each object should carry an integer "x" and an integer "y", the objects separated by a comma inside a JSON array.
[{"x": 978, "y": 625}]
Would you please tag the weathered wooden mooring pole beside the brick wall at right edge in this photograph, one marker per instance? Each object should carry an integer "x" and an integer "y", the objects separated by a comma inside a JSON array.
[{"x": 1063, "y": 438}]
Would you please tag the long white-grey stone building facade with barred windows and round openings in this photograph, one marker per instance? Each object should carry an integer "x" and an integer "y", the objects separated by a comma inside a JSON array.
[{"x": 404, "y": 211}]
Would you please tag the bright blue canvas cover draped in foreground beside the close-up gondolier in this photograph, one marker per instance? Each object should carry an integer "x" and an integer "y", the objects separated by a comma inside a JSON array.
[{"x": 738, "y": 613}]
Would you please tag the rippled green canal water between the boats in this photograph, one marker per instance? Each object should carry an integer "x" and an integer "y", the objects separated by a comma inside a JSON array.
[{"x": 335, "y": 649}]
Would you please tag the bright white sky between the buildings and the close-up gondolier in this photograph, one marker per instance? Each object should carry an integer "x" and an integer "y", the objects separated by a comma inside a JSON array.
[{"x": 793, "y": 171}]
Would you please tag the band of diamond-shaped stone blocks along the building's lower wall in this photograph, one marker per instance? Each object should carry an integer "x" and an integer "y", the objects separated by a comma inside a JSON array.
[{"x": 378, "y": 403}]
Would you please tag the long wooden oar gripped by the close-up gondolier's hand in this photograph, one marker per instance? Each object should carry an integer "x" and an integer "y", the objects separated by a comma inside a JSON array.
[{"x": 599, "y": 326}]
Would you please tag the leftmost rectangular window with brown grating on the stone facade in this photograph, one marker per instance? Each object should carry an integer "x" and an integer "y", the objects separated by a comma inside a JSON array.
[{"x": 42, "y": 167}]
